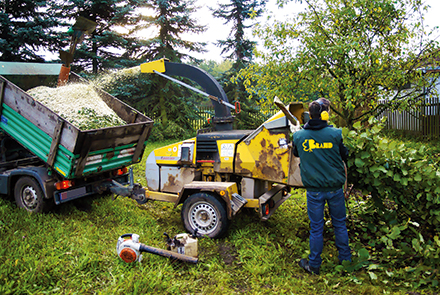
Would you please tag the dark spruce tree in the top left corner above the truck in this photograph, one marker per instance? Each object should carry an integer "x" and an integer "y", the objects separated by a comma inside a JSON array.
[{"x": 26, "y": 30}]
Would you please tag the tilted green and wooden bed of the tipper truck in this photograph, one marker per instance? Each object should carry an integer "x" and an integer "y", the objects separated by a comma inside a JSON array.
[{"x": 68, "y": 150}]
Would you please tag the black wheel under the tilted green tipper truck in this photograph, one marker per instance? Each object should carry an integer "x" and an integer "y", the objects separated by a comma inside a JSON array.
[{"x": 29, "y": 195}]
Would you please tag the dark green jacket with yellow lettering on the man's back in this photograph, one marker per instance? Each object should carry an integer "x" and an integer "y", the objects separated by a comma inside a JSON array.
[{"x": 322, "y": 152}]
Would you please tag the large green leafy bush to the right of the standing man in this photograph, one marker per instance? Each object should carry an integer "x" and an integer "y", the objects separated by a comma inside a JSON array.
[{"x": 400, "y": 186}]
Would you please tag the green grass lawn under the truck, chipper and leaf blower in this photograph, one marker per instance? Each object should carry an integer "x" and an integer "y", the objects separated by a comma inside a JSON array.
[{"x": 72, "y": 250}]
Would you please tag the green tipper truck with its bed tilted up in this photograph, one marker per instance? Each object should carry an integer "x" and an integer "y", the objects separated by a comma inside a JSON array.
[{"x": 44, "y": 159}]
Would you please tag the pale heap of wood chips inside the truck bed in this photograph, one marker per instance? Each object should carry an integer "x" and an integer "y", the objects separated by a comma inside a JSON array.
[{"x": 79, "y": 104}]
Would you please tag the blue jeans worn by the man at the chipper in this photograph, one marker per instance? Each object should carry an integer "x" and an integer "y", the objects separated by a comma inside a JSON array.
[{"x": 315, "y": 209}]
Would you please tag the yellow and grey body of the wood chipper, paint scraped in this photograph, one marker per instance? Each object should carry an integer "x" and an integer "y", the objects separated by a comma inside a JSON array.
[{"x": 254, "y": 159}]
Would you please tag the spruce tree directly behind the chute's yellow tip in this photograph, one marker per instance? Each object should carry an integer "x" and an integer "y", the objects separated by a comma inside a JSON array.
[{"x": 171, "y": 105}]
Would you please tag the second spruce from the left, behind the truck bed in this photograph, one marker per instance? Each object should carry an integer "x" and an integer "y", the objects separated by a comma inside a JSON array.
[{"x": 106, "y": 47}]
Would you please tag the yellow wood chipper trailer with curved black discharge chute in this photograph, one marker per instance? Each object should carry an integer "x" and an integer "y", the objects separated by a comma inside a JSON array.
[{"x": 221, "y": 170}]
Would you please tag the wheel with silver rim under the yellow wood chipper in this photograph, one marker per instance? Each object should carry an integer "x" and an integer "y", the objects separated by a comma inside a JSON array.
[{"x": 205, "y": 213}]
